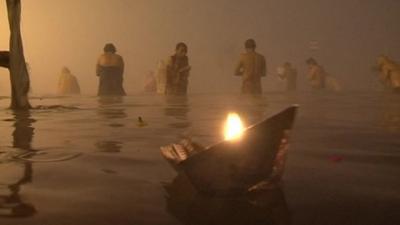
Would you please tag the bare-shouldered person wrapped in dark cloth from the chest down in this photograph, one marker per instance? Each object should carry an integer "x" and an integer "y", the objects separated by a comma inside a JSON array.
[{"x": 110, "y": 69}]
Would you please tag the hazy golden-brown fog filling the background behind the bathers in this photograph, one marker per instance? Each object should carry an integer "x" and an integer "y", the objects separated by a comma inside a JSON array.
[{"x": 350, "y": 35}]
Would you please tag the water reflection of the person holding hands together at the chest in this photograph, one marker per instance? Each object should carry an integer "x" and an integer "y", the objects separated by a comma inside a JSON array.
[{"x": 178, "y": 108}]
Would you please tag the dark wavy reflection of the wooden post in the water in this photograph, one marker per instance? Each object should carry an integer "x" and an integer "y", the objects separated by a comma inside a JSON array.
[{"x": 16, "y": 172}]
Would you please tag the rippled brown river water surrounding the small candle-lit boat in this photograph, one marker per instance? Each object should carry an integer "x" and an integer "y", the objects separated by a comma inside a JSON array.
[{"x": 343, "y": 165}]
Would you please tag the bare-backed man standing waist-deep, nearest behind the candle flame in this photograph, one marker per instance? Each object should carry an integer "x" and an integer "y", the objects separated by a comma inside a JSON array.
[{"x": 251, "y": 67}]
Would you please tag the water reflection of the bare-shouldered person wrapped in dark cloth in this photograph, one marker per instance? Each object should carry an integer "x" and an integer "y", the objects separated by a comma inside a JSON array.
[{"x": 111, "y": 109}]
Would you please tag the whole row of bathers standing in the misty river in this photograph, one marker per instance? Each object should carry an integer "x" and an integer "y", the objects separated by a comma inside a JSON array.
[{"x": 172, "y": 76}]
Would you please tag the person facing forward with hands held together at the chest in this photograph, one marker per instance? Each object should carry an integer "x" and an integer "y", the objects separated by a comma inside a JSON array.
[{"x": 177, "y": 71}]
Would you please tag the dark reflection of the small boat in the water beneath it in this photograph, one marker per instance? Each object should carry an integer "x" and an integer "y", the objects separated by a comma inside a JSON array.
[{"x": 267, "y": 207}]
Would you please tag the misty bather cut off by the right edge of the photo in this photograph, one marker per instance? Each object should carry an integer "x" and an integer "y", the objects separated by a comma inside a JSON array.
[{"x": 389, "y": 73}]
